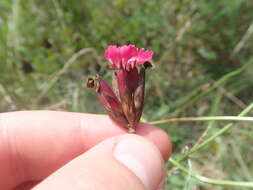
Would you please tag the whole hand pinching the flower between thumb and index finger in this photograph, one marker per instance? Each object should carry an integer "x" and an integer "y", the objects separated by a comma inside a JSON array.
[{"x": 61, "y": 150}]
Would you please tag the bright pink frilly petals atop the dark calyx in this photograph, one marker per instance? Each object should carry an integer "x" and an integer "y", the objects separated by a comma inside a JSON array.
[{"x": 127, "y": 56}]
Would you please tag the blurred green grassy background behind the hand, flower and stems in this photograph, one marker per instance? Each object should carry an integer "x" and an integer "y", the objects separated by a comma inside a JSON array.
[{"x": 203, "y": 58}]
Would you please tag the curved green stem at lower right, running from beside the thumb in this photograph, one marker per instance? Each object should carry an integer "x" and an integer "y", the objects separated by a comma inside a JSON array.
[{"x": 210, "y": 180}]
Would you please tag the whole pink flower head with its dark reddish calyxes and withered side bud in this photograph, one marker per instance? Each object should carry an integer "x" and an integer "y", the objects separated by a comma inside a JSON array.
[{"x": 124, "y": 104}]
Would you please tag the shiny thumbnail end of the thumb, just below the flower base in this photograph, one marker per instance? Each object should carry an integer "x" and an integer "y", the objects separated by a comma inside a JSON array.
[{"x": 142, "y": 157}]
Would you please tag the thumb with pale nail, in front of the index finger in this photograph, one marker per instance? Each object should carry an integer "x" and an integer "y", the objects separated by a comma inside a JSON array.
[{"x": 122, "y": 162}]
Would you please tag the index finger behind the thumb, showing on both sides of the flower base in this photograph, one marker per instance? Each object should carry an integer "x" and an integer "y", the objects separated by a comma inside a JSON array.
[{"x": 36, "y": 143}]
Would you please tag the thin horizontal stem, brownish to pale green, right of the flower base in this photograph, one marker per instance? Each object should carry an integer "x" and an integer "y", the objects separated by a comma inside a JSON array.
[{"x": 212, "y": 118}]
